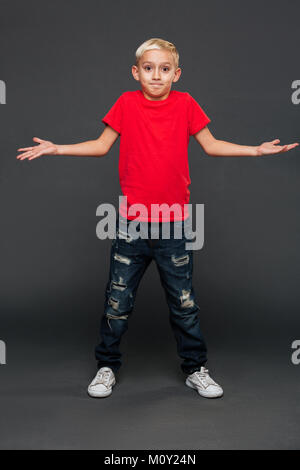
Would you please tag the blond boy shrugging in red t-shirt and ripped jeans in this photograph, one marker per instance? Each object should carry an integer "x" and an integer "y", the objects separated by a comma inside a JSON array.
[{"x": 155, "y": 124}]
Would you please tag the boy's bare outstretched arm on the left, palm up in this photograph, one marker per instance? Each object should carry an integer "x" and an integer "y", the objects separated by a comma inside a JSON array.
[{"x": 91, "y": 148}]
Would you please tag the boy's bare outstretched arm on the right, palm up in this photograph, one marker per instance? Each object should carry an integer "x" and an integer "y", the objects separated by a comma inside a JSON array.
[{"x": 221, "y": 148}]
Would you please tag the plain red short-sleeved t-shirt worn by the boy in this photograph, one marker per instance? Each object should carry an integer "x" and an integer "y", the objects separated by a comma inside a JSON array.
[{"x": 153, "y": 161}]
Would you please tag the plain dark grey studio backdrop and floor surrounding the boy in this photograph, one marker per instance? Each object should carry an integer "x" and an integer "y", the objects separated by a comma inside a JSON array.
[{"x": 64, "y": 64}]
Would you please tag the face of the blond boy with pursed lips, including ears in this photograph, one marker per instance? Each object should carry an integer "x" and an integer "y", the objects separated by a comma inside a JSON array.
[{"x": 156, "y": 72}]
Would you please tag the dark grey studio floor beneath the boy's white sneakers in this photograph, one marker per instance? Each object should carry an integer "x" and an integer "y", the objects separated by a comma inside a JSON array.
[{"x": 47, "y": 407}]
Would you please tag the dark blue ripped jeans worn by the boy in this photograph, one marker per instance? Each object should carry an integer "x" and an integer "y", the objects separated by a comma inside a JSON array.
[{"x": 129, "y": 259}]
